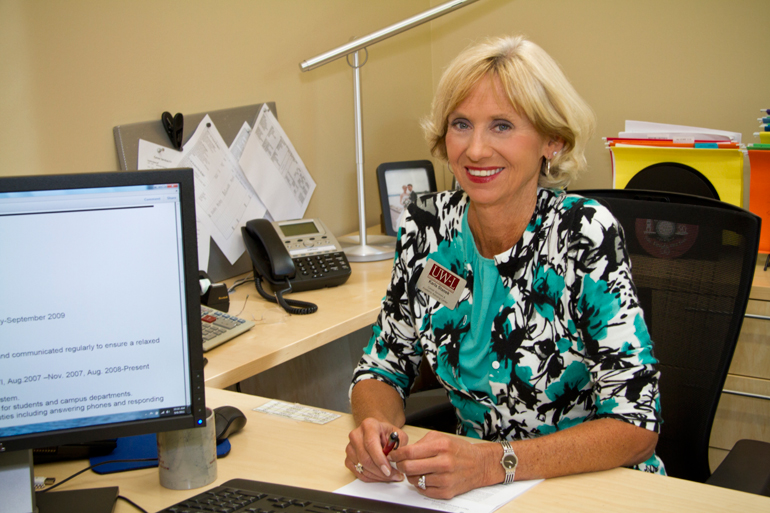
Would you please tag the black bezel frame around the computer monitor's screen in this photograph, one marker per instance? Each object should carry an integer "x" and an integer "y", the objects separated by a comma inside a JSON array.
[{"x": 197, "y": 418}]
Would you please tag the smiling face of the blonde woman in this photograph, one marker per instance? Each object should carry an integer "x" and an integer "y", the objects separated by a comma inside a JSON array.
[{"x": 495, "y": 154}]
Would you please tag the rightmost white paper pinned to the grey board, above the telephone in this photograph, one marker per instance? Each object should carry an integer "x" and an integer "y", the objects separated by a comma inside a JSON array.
[{"x": 274, "y": 167}]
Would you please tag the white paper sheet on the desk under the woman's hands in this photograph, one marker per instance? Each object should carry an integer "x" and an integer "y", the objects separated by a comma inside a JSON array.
[{"x": 480, "y": 500}]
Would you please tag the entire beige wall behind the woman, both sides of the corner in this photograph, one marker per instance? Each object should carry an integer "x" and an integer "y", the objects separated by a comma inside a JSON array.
[{"x": 70, "y": 71}]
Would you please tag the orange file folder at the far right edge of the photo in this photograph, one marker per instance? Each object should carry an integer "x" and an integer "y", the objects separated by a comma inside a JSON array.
[{"x": 759, "y": 193}]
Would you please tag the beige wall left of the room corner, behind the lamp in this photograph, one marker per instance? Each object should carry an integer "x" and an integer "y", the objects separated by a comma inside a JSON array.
[{"x": 72, "y": 70}]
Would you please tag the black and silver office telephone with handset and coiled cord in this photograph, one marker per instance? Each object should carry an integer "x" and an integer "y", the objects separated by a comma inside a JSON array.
[{"x": 294, "y": 256}]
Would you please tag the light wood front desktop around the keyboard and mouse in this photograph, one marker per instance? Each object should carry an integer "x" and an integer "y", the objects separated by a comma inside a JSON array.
[{"x": 279, "y": 450}]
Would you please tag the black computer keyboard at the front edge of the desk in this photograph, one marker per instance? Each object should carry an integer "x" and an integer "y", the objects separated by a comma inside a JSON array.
[{"x": 243, "y": 495}]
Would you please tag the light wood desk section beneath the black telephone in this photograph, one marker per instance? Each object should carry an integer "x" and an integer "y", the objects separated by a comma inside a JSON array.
[{"x": 278, "y": 337}]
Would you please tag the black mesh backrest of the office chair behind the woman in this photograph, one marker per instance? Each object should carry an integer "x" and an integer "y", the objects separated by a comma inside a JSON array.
[{"x": 693, "y": 262}]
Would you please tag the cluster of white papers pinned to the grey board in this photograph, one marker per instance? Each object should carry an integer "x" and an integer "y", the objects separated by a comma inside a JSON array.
[{"x": 225, "y": 196}]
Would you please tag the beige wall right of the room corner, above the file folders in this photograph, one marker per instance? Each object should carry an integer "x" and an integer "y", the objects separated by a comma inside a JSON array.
[{"x": 702, "y": 63}]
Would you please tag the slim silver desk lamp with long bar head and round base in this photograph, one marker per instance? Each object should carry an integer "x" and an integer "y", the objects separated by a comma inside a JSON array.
[{"x": 357, "y": 247}]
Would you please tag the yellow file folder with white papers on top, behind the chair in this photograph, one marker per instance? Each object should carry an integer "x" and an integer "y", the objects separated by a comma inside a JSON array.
[{"x": 716, "y": 155}]
